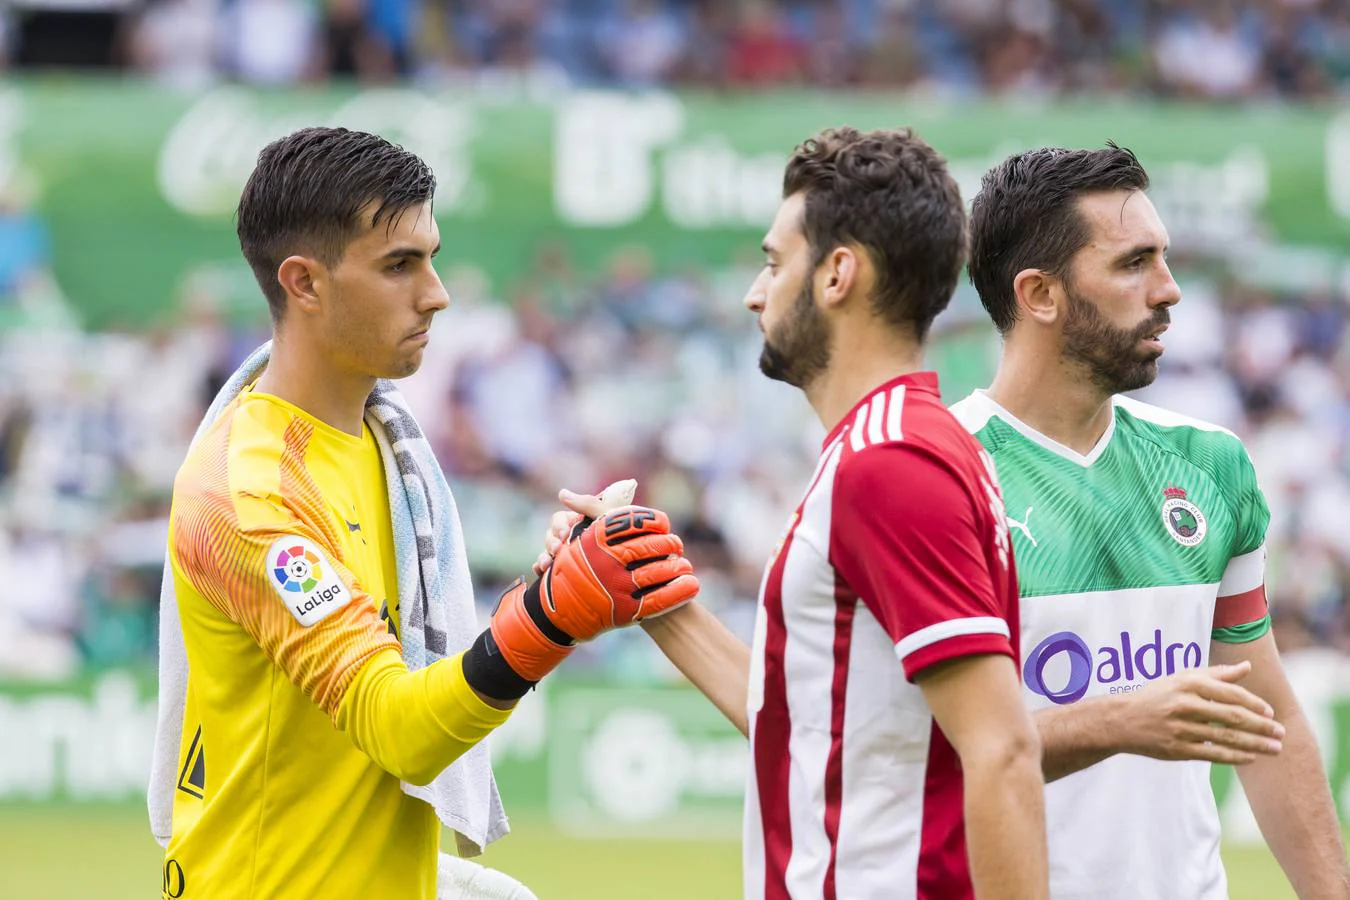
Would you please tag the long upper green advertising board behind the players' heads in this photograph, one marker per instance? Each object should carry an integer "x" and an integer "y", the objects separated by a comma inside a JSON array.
[{"x": 137, "y": 184}]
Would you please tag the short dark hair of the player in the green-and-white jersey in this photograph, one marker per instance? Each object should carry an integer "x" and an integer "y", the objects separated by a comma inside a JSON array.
[{"x": 1027, "y": 217}]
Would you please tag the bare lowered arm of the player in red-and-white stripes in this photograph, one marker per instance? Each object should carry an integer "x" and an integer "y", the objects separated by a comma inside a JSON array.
[{"x": 978, "y": 704}]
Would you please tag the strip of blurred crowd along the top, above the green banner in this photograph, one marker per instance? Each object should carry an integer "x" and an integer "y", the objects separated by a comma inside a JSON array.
[{"x": 1213, "y": 49}]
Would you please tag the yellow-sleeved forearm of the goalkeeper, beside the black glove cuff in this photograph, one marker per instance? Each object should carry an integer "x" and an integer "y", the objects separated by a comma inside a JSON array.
[{"x": 415, "y": 724}]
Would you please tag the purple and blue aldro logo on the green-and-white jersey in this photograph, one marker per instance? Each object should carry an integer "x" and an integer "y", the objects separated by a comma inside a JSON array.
[{"x": 1110, "y": 665}]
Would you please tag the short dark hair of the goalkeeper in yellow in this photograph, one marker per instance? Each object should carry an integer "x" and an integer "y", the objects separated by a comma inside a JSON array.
[{"x": 307, "y": 195}]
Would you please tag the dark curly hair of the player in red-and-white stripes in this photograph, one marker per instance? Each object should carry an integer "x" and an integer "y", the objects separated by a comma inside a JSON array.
[{"x": 890, "y": 194}]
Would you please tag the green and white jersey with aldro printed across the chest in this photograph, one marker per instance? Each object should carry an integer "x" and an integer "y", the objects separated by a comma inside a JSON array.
[{"x": 1131, "y": 561}]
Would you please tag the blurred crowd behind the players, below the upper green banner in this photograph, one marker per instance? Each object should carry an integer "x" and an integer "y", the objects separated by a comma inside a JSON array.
[{"x": 573, "y": 381}]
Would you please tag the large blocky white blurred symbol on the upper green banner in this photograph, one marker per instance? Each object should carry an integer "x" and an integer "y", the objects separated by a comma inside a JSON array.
[{"x": 603, "y": 154}]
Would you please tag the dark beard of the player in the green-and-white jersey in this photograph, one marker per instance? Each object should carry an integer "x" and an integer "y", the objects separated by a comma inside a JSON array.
[{"x": 1112, "y": 356}]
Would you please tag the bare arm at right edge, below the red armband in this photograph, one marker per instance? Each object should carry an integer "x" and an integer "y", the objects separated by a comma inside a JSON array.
[{"x": 1290, "y": 793}]
